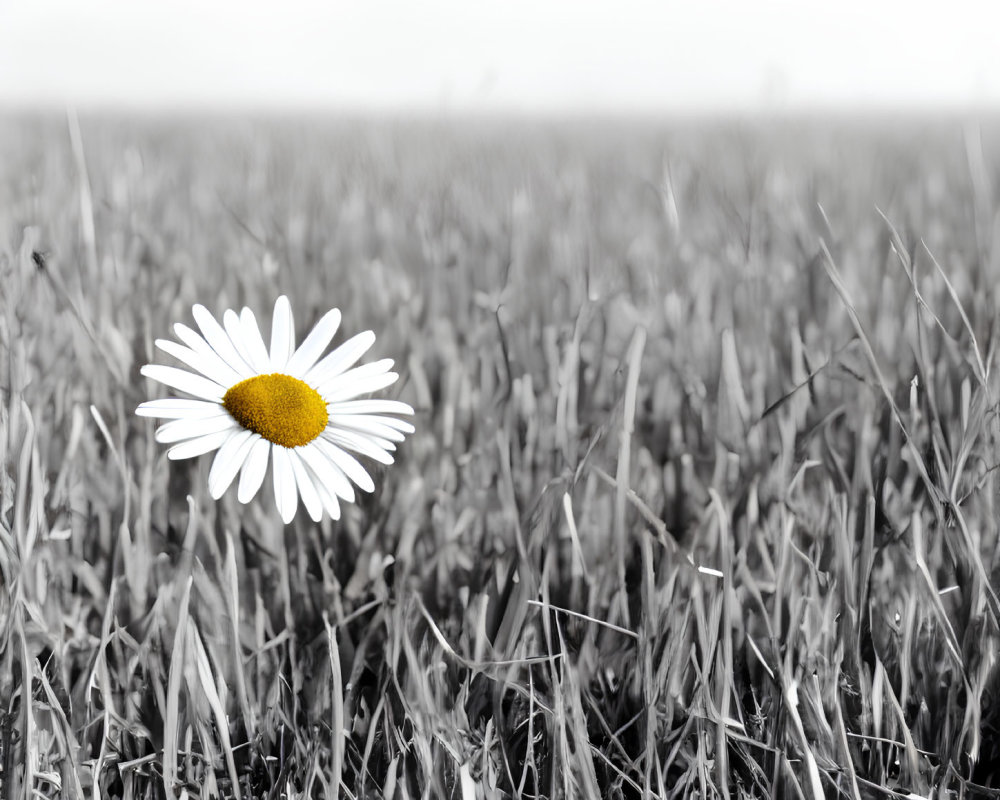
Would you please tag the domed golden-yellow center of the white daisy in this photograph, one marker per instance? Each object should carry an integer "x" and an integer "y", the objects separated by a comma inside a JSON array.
[{"x": 282, "y": 409}]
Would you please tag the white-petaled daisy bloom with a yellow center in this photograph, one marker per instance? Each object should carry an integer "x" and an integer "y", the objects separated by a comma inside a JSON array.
[{"x": 284, "y": 405}]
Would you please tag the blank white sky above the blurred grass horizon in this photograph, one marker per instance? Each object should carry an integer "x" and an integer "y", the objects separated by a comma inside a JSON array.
[{"x": 516, "y": 55}]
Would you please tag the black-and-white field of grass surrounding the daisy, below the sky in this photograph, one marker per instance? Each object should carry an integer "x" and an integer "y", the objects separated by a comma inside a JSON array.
[{"x": 702, "y": 500}]
